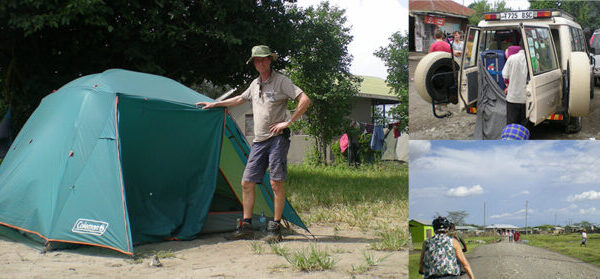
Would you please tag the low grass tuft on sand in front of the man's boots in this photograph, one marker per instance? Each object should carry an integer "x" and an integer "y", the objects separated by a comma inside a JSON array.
[{"x": 311, "y": 259}]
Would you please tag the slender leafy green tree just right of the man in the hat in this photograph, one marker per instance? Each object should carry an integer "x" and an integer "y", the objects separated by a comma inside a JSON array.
[{"x": 321, "y": 68}]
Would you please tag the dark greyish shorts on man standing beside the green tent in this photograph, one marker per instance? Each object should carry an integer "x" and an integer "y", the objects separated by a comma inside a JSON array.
[{"x": 270, "y": 153}]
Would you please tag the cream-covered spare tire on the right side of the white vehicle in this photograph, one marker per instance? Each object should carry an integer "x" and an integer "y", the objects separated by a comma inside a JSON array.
[{"x": 578, "y": 70}]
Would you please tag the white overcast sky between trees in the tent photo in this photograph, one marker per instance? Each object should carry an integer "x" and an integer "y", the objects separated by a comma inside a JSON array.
[{"x": 372, "y": 23}]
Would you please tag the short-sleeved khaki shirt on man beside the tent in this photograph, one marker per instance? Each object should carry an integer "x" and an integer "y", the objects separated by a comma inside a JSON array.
[{"x": 269, "y": 102}]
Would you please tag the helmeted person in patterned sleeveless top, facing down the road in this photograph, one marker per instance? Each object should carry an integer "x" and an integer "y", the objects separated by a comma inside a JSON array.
[{"x": 441, "y": 254}]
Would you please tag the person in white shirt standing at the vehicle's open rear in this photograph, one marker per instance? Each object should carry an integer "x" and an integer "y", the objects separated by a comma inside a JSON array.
[{"x": 515, "y": 70}]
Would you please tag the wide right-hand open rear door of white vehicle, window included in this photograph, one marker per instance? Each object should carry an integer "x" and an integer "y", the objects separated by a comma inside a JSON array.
[{"x": 544, "y": 86}]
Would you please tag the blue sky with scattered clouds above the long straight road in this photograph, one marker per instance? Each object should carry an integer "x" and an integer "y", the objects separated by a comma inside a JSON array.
[{"x": 557, "y": 178}]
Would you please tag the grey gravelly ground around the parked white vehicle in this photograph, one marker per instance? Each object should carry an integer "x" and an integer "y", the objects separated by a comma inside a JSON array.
[{"x": 423, "y": 125}]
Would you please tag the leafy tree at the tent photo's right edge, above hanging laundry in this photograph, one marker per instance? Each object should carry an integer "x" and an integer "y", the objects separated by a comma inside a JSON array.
[{"x": 395, "y": 56}]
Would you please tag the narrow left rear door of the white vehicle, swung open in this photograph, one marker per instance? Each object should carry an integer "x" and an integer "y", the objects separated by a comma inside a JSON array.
[{"x": 469, "y": 74}]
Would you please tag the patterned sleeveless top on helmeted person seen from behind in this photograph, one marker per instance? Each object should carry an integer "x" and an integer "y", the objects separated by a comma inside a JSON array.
[{"x": 439, "y": 257}]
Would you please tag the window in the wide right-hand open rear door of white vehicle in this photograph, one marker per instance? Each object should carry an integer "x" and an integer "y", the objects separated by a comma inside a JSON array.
[{"x": 541, "y": 50}]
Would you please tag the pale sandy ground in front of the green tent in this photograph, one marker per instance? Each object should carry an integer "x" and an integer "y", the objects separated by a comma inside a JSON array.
[{"x": 208, "y": 257}]
